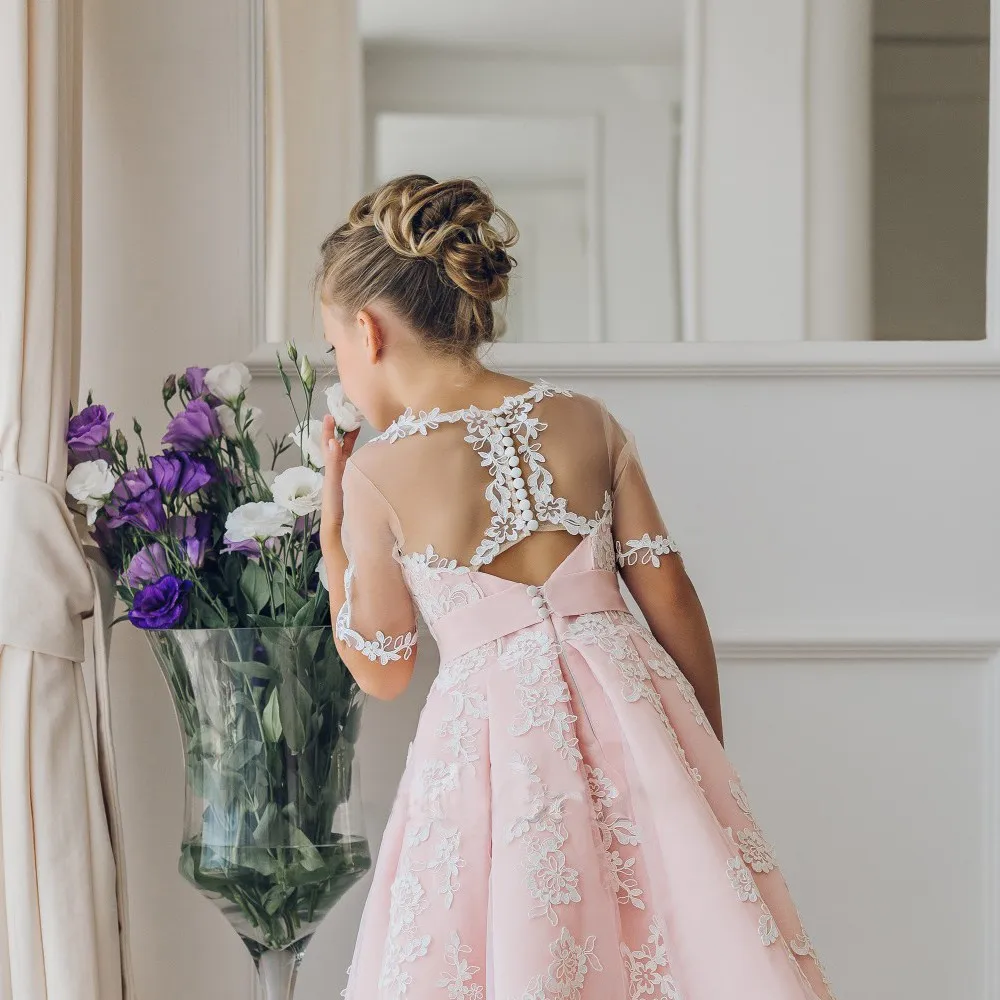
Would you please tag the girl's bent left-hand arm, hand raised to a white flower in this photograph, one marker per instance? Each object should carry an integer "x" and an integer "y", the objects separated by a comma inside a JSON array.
[{"x": 374, "y": 623}]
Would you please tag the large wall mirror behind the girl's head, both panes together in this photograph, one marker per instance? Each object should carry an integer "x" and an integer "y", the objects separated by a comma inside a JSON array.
[{"x": 678, "y": 169}]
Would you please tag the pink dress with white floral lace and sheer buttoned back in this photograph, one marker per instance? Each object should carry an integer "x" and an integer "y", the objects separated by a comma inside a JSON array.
[{"x": 567, "y": 827}]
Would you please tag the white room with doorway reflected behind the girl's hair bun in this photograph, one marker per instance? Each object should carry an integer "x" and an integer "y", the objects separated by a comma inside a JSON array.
[{"x": 570, "y": 117}]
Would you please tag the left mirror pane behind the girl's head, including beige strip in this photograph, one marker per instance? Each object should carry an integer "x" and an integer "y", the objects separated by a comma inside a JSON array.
[{"x": 568, "y": 112}]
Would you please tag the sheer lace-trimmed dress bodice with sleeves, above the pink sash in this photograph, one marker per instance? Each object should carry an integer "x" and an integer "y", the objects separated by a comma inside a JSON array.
[{"x": 439, "y": 495}]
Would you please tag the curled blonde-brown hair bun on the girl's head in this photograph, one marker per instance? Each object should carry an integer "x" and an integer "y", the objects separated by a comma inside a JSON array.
[{"x": 455, "y": 223}]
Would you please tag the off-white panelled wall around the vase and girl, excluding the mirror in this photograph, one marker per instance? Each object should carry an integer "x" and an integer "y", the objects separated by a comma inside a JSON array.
[{"x": 841, "y": 530}]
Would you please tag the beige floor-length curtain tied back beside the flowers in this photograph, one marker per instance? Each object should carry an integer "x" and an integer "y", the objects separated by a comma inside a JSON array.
[{"x": 60, "y": 899}]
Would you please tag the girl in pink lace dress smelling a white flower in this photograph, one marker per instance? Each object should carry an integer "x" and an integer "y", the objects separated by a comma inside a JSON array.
[{"x": 568, "y": 826}]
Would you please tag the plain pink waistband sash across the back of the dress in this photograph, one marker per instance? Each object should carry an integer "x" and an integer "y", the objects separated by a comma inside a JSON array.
[{"x": 564, "y": 596}]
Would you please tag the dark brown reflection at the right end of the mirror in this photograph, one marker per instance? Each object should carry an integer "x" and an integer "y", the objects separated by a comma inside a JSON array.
[{"x": 931, "y": 131}]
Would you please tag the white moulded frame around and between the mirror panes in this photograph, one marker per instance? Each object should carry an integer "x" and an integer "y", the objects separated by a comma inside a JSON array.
[{"x": 689, "y": 356}]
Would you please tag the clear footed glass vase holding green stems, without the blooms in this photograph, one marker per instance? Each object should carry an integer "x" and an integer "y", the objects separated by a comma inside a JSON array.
[{"x": 273, "y": 830}]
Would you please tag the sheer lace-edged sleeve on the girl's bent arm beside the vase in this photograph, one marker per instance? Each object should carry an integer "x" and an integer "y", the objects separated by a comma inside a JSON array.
[{"x": 377, "y": 618}]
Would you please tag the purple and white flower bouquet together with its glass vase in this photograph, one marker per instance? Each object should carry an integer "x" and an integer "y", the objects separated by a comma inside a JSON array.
[{"x": 216, "y": 556}]
